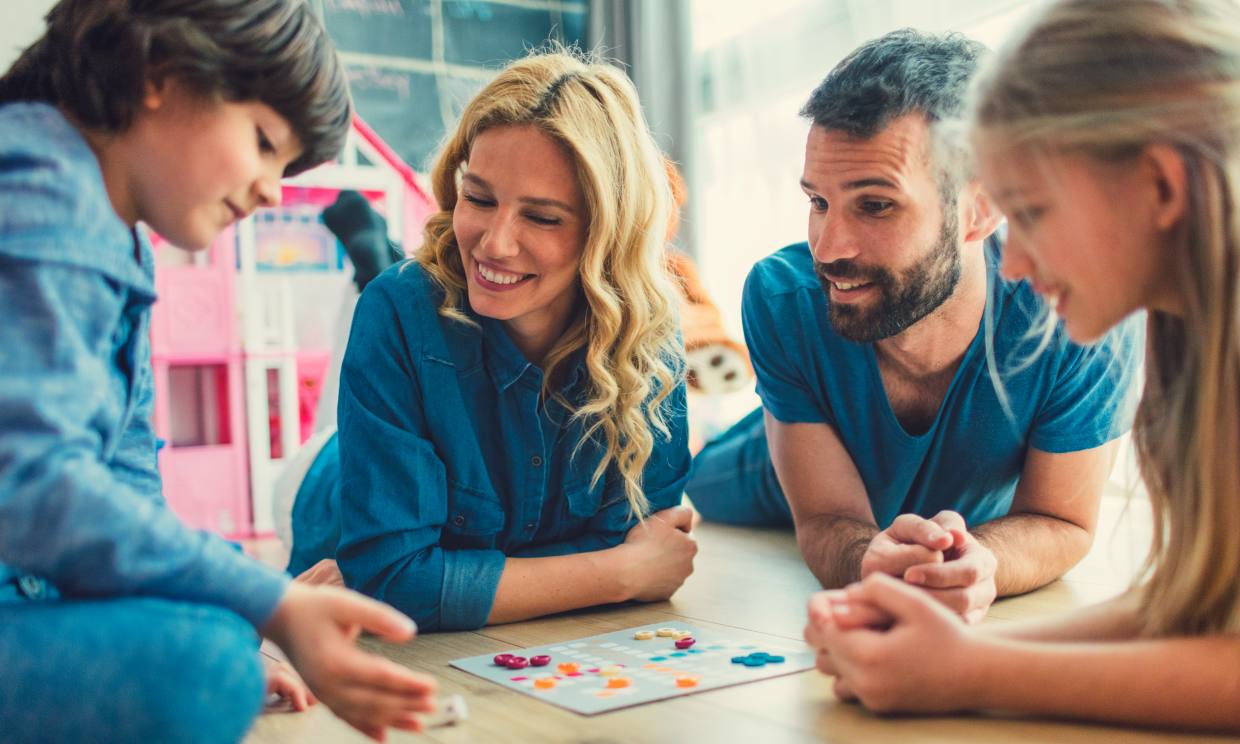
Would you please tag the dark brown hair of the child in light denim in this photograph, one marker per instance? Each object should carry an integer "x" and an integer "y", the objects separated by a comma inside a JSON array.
[{"x": 97, "y": 56}]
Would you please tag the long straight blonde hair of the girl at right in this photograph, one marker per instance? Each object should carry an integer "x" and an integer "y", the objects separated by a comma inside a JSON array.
[{"x": 1107, "y": 79}]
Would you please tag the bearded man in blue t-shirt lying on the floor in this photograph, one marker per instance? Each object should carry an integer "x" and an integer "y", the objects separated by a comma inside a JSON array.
[{"x": 922, "y": 416}]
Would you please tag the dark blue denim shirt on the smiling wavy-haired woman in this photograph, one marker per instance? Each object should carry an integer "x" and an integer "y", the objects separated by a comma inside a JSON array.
[{"x": 451, "y": 463}]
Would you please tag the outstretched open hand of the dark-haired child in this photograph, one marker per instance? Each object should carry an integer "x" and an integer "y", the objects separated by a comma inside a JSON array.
[{"x": 318, "y": 629}]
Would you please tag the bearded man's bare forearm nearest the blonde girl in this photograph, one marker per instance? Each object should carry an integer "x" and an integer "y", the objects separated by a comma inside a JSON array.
[{"x": 1032, "y": 550}]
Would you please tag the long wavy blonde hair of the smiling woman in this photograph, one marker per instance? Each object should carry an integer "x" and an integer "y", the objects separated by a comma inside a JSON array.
[{"x": 627, "y": 322}]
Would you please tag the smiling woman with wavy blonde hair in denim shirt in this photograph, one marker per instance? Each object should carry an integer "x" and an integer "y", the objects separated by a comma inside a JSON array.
[{"x": 513, "y": 401}]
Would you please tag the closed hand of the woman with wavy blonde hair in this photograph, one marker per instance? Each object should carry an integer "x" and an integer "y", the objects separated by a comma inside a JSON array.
[{"x": 659, "y": 555}]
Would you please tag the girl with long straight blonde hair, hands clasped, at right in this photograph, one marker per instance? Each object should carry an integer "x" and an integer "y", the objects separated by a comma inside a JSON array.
[{"x": 1110, "y": 136}]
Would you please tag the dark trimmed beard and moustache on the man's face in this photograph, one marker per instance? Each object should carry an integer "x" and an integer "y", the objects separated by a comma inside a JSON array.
[{"x": 902, "y": 302}]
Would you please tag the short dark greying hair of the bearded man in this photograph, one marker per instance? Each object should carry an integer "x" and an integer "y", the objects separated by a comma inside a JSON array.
[{"x": 903, "y": 73}]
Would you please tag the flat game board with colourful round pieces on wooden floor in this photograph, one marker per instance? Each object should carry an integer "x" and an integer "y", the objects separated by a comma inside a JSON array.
[{"x": 616, "y": 670}]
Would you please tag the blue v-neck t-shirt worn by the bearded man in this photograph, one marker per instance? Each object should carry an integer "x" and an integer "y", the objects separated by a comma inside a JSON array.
[{"x": 1063, "y": 400}]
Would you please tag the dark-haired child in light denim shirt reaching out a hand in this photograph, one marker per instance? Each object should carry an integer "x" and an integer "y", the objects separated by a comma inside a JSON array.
[{"x": 183, "y": 115}]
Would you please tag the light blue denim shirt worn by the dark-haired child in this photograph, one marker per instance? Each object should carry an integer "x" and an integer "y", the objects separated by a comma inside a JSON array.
[{"x": 81, "y": 508}]
